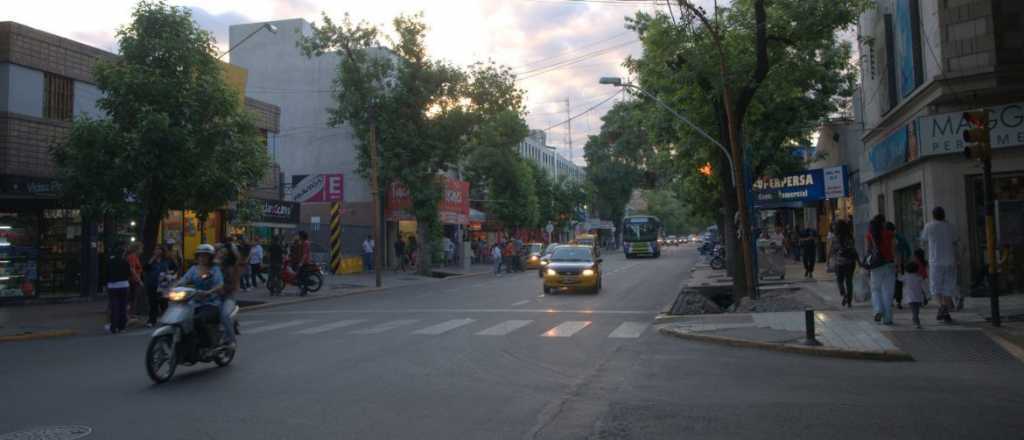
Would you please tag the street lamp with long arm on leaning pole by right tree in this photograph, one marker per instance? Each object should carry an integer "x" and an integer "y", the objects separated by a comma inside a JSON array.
[{"x": 745, "y": 234}]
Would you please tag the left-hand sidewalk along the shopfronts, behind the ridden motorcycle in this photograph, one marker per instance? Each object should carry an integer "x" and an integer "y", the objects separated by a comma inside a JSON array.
[{"x": 21, "y": 323}]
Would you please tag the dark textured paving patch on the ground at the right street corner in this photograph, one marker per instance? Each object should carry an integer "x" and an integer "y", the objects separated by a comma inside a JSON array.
[{"x": 967, "y": 346}]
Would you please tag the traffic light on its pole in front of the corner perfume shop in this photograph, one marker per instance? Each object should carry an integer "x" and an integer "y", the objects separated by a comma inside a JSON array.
[{"x": 979, "y": 148}]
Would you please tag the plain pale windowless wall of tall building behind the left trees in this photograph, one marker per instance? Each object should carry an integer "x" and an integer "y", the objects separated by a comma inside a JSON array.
[{"x": 281, "y": 75}]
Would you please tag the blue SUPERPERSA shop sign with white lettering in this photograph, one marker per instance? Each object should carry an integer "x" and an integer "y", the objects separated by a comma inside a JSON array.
[{"x": 808, "y": 186}]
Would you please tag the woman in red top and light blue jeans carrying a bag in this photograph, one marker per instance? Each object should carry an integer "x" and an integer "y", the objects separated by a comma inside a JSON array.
[{"x": 881, "y": 243}]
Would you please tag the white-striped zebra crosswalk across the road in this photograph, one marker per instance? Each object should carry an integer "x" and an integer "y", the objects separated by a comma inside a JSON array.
[{"x": 420, "y": 328}]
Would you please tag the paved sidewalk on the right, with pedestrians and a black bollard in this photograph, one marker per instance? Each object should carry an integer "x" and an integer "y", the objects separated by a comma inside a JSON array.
[{"x": 852, "y": 333}]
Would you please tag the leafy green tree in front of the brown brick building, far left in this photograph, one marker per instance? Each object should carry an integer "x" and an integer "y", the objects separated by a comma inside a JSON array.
[{"x": 179, "y": 136}]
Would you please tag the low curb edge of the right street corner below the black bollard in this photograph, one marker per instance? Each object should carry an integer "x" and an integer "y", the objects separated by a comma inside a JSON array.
[{"x": 771, "y": 339}]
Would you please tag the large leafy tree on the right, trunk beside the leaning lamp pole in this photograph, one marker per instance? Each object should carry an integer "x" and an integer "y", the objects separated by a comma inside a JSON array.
[{"x": 784, "y": 65}]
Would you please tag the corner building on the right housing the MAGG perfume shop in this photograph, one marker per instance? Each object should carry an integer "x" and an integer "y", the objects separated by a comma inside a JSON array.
[{"x": 923, "y": 64}]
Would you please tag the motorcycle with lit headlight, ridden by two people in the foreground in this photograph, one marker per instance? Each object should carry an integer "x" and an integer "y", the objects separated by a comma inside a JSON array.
[{"x": 179, "y": 340}]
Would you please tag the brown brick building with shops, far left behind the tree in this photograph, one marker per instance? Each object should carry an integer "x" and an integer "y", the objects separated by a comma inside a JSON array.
[{"x": 47, "y": 249}]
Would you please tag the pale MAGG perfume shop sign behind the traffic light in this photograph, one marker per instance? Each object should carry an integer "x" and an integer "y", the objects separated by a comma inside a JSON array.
[{"x": 943, "y": 135}]
